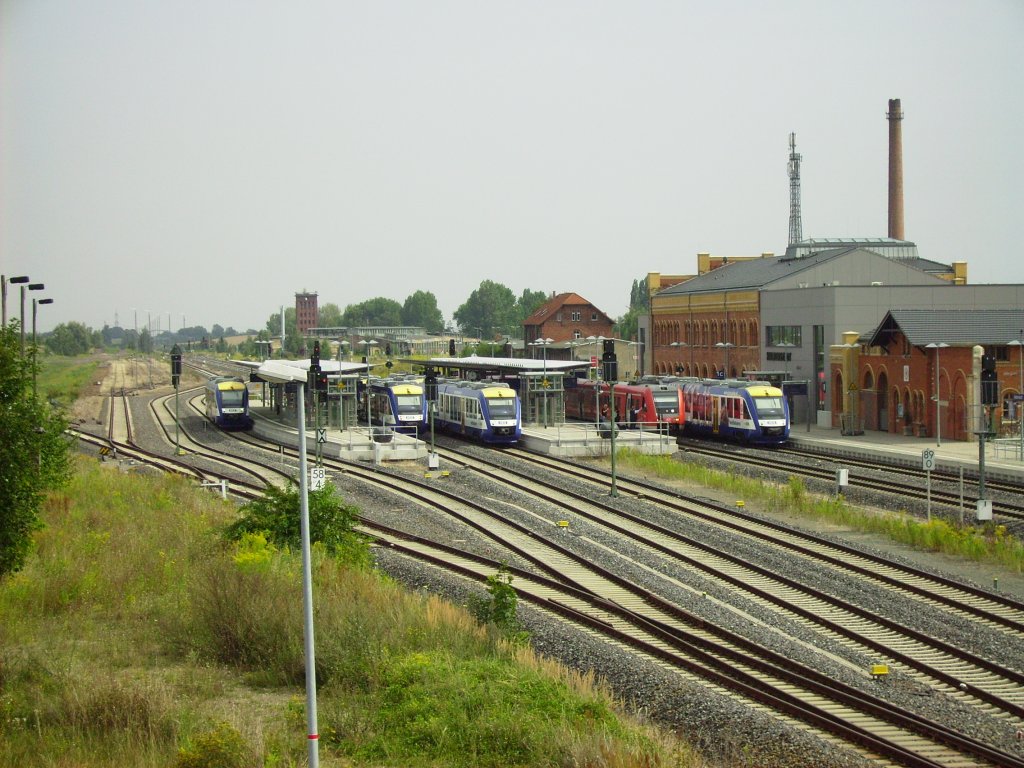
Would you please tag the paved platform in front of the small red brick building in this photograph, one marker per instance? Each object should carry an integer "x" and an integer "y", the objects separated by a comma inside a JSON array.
[{"x": 1003, "y": 456}]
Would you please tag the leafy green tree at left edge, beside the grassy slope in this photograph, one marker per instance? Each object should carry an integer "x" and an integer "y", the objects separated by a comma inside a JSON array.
[{"x": 34, "y": 454}]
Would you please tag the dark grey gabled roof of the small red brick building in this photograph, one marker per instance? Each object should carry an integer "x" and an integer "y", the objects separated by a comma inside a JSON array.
[{"x": 954, "y": 327}]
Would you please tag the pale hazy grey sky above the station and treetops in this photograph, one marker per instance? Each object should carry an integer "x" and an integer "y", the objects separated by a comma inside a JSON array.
[{"x": 211, "y": 159}]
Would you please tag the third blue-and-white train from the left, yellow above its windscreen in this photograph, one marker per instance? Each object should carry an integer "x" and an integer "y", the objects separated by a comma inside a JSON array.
[{"x": 488, "y": 412}]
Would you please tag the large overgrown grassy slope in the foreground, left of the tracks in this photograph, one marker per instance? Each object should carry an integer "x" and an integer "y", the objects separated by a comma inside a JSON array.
[{"x": 138, "y": 635}]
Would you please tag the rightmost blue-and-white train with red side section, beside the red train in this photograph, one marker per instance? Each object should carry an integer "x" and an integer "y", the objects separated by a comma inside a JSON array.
[{"x": 752, "y": 412}]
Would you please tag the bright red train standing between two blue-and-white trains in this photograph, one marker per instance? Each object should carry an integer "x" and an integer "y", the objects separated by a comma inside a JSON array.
[{"x": 650, "y": 402}]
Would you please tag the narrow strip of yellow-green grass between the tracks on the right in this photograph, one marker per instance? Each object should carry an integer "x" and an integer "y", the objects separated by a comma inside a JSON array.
[{"x": 987, "y": 543}]
